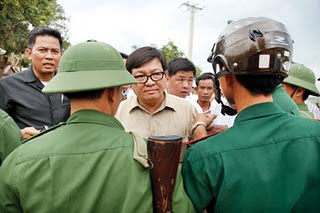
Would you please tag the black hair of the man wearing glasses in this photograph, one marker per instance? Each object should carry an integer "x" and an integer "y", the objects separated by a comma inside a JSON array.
[{"x": 143, "y": 55}]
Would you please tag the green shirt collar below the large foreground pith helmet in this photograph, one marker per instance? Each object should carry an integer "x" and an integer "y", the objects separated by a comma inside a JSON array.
[{"x": 94, "y": 117}]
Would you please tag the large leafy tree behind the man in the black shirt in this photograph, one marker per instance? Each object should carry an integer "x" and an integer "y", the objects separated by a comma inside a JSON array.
[{"x": 17, "y": 17}]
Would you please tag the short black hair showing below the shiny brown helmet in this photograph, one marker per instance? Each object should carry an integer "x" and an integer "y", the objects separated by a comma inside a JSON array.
[{"x": 259, "y": 84}]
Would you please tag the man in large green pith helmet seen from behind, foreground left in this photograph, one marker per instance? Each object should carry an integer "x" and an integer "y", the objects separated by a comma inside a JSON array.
[{"x": 86, "y": 164}]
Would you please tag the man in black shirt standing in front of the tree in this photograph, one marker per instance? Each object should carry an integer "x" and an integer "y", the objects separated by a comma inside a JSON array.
[{"x": 21, "y": 93}]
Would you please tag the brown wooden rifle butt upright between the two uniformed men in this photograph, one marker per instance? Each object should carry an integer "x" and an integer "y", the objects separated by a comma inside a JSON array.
[{"x": 164, "y": 152}]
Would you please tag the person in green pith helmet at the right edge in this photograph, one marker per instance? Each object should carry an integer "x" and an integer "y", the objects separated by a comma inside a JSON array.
[{"x": 301, "y": 83}]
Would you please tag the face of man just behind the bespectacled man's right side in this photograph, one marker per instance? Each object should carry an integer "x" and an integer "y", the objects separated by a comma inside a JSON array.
[{"x": 180, "y": 84}]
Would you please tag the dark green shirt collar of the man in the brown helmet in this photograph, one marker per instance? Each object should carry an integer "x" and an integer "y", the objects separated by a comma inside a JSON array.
[{"x": 258, "y": 111}]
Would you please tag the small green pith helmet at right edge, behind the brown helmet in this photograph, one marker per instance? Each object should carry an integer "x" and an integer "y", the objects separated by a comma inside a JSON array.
[{"x": 302, "y": 76}]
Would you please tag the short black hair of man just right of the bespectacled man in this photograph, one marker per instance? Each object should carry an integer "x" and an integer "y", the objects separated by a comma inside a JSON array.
[{"x": 181, "y": 64}]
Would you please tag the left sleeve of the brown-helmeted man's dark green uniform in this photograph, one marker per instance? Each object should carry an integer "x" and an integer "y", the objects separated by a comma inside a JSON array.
[{"x": 202, "y": 178}]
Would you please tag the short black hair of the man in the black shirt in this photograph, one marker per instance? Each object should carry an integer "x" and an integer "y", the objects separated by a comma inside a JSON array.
[{"x": 41, "y": 31}]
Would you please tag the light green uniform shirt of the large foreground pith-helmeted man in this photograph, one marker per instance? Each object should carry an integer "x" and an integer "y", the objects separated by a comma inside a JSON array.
[{"x": 85, "y": 165}]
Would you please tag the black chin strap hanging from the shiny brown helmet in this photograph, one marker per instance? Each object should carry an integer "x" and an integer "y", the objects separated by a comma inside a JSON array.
[{"x": 224, "y": 108}]
